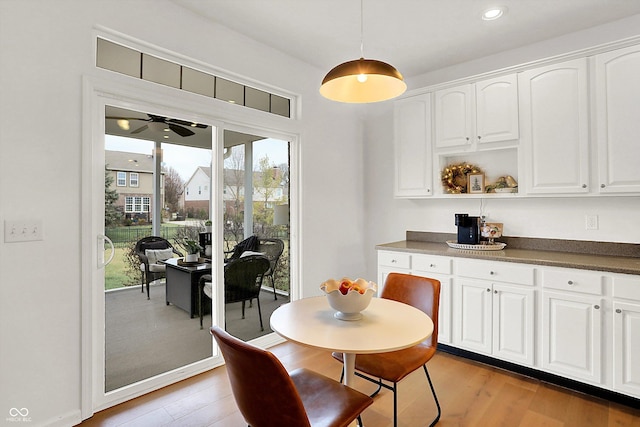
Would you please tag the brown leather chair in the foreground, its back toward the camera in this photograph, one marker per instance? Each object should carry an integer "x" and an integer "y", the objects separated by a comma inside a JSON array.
[{"x": 268, "y": 396}]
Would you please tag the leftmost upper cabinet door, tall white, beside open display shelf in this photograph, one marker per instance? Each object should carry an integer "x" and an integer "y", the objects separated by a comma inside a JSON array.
[{"x": 413, "y": 161}]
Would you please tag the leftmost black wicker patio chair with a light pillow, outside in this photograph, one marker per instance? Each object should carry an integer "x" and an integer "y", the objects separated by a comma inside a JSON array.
[{"x": 150, "y": 250}]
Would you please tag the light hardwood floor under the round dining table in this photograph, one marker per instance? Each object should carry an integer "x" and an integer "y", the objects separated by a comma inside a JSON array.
[{"x": 471, "y": 394}]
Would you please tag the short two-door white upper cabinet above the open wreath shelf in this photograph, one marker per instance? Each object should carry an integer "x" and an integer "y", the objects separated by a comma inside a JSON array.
[{"x": 483, "y": 112}]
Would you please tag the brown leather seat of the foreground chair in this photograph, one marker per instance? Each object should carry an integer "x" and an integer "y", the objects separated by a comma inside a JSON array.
[{"x": 344, "y": 403}]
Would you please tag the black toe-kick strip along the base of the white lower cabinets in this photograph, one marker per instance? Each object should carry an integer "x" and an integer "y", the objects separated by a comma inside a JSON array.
[{"x": 544, "y": 376}]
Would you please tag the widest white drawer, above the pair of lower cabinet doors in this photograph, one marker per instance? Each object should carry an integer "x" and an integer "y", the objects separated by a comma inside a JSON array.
[{"x": 496, "y": 271}]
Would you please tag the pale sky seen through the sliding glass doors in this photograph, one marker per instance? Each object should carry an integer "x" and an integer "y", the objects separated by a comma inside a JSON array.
[{"x": 185, "y": 160}]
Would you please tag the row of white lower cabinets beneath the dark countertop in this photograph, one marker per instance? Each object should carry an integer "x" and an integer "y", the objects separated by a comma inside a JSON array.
[{"x": 579, "y": 324}]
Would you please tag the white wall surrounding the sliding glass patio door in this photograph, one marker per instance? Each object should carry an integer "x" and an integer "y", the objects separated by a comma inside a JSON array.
[{"x": 46, "y": 47}]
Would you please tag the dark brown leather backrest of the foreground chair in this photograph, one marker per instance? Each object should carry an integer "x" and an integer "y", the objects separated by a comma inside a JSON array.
[{"x": 261, "y": 386}]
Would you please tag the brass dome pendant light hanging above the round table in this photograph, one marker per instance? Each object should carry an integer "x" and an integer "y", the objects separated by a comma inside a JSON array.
[{"x": 362, "y": 80}]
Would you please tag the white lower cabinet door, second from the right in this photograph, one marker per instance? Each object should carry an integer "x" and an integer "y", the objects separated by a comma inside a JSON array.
[{"x": 572, "y": 335}]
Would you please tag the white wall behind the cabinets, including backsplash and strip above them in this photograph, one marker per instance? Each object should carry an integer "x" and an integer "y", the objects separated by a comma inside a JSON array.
[{"x": 387, "y": 218}]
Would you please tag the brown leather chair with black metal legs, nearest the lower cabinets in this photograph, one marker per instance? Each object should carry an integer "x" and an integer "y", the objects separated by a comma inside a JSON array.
[{"x": 424, "y": 294}]
